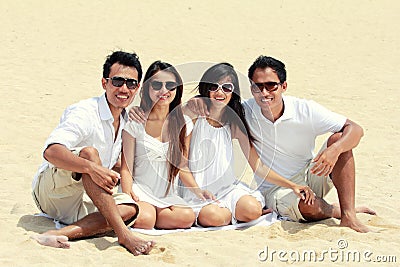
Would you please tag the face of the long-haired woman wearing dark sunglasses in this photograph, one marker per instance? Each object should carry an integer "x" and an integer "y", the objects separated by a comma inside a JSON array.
[{"x": 163, "y": 96}]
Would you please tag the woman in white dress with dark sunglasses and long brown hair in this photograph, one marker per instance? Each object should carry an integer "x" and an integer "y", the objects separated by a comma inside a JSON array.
[{"x": 152, "y": 152}]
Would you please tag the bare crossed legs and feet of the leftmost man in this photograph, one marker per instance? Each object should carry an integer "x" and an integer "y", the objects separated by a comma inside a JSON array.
[{"x": 109, "y": 217}]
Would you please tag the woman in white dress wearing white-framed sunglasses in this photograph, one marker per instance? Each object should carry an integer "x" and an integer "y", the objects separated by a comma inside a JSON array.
[{"x": 211, "y": 155}]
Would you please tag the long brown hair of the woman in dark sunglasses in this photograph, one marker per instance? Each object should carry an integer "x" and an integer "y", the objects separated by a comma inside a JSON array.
[{"x": 176, "y": 122}]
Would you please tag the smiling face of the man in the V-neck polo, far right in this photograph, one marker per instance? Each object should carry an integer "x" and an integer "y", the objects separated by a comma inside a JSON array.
[{"x": 270, "y": 102}]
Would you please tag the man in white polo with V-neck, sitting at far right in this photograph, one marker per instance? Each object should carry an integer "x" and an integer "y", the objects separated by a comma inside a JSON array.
[{"x": 286, "y": 129}]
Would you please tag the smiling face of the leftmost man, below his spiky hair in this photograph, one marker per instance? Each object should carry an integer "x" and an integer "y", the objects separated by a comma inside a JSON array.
[{"x": 119, "y": 98}]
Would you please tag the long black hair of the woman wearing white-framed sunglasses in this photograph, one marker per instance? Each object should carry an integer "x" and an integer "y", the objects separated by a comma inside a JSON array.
[{"x": 235, "y": 114}]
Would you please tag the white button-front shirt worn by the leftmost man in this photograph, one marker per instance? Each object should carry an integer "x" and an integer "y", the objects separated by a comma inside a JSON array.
[{"x": 88, "y": 123}]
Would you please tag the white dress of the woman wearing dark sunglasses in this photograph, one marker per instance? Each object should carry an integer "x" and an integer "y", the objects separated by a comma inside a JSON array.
[{"x": 151, "y": 168}]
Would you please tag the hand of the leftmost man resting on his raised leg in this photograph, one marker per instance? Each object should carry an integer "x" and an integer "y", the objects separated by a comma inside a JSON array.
[{"x": 104, "y": 177}]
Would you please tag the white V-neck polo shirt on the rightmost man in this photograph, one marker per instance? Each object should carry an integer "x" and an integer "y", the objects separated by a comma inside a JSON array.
[{"x": 287, "y": 145}]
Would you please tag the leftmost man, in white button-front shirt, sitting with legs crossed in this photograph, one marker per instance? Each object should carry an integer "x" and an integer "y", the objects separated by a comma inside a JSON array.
[{"x": 76, "y": 183}]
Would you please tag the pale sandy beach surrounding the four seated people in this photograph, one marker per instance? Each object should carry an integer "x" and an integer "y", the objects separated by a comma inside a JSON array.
[{"x": 342, "y": 54}]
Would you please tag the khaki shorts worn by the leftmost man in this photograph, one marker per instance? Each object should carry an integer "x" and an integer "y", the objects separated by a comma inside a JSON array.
[{"x": 59, "y": 194}]
